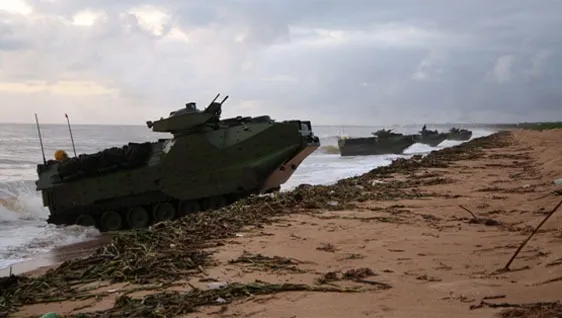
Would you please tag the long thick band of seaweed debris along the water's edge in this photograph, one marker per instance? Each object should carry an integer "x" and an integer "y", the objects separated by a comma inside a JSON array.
[{"x": 175, "y": 250}]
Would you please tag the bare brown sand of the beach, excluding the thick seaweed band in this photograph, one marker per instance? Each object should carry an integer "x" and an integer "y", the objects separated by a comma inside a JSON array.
[{"x": 430, "y": 257}]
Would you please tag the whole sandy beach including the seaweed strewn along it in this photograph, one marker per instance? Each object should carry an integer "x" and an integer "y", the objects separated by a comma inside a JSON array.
[{"x": 425, "y": 237}]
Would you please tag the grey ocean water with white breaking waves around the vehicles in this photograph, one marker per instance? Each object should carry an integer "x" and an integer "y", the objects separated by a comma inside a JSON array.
[{"x": 23, "y": 228}]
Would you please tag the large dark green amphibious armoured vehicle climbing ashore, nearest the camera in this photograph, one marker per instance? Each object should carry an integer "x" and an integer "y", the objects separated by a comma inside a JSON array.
[{"x": 206, "y": 164}]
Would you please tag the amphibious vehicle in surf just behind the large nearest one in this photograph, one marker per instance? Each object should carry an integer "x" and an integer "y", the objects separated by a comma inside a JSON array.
[{"x": 381, "y": 143}]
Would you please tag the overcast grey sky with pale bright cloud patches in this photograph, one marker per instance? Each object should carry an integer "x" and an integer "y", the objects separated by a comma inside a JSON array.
[{"x": 349, "y": 62}]
